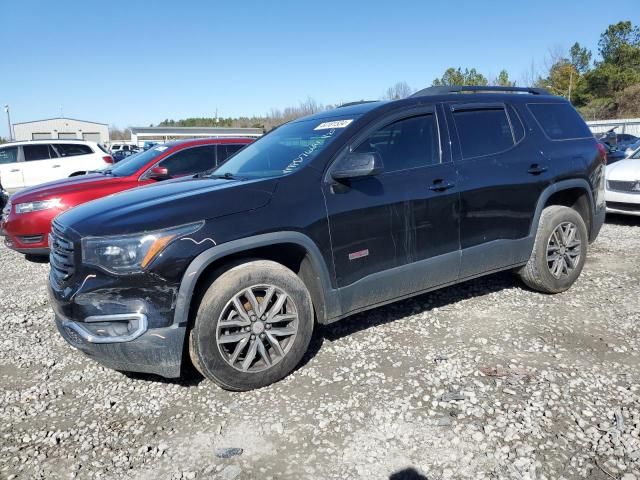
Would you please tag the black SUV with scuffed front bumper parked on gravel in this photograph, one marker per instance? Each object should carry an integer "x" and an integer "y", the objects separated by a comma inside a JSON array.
[{"x": 328, "y": 215}]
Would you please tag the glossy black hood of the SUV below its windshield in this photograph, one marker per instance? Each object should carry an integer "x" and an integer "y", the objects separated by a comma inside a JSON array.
[{"x": 167, "y": 204}]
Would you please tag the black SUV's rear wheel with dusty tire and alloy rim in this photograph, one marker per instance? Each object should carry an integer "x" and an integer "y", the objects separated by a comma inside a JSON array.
[{"x": 554, "y": 276}]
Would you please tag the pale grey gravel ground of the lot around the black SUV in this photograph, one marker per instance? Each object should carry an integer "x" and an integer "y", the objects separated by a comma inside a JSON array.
[{"x": 482, "y": 380}]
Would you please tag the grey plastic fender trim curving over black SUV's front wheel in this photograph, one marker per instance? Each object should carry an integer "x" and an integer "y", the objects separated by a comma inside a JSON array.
[{"x": 206, "y": 258}]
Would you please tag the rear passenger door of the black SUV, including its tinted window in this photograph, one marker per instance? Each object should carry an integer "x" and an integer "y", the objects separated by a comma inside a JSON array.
[{"x": 501, "y": 172}]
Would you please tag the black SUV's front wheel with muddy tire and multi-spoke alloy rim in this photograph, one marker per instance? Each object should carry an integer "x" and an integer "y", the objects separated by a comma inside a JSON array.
[{"x": 220, "y": 321}]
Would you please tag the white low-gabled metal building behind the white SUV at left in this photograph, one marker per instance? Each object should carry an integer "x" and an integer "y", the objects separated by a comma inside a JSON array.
[{"x": 62, "y": 128}]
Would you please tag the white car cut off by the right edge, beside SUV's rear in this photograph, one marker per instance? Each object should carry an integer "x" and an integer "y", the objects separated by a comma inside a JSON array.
[{"x": 623, "y": 186}]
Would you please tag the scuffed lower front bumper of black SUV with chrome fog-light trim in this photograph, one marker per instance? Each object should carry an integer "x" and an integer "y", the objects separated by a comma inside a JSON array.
[{"x": 144, "y": 349}]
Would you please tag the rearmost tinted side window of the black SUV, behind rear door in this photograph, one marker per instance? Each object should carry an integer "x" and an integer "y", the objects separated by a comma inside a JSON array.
[{"x": 560, "y": 121}]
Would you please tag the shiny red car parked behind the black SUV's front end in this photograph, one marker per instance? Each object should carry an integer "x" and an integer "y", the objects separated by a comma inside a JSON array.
[{"x": 26, "y": 219}]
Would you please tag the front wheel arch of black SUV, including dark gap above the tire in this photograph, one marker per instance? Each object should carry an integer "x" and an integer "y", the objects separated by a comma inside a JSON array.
[{"x": 292, "y": 249}]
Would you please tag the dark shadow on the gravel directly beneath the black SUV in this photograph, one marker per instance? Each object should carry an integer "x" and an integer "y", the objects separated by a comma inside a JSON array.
[{"x": 190, "y": 377}]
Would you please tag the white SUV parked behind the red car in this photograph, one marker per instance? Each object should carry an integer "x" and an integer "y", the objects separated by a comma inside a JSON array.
[{"x": 24, "y": 164}]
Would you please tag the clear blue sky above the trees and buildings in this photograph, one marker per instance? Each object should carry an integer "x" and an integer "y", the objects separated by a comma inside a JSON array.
[{"x": 135, "y": 63}]
